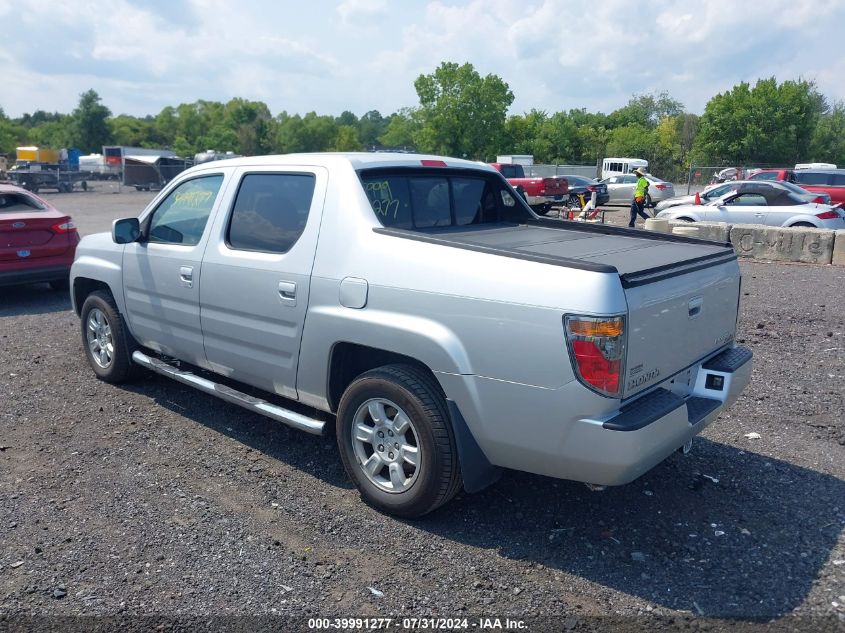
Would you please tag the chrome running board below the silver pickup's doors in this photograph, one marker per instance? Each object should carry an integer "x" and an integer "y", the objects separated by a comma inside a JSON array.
[{"x": 256, "y": 405}]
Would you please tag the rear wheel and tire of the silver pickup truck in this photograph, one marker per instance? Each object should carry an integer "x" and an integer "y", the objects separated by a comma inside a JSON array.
[{"x": 396, "y": 441}]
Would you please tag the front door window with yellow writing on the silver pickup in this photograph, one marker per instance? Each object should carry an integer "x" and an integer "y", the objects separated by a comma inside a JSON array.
[{"x": 182, "y": 216}]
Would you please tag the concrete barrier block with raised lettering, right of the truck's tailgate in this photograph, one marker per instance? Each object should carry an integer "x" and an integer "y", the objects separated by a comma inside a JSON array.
[{"x": 812, "y": 246}]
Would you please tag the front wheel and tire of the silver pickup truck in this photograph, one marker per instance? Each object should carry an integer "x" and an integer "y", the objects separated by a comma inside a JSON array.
[{"x": 107, "y": 343}]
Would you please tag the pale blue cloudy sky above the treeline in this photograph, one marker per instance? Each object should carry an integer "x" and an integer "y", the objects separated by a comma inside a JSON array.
[{"x": 362, "y": 55}]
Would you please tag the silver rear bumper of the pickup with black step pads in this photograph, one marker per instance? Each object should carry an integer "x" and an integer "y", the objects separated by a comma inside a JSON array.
[{"x": 541, "y": 431}]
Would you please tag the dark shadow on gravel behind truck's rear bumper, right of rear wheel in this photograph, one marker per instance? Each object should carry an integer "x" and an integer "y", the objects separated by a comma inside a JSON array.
[{"x": 749, "y": 545}]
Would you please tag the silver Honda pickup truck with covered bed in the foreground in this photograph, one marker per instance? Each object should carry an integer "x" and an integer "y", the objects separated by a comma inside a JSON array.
[{"x": 419, "y": 306}]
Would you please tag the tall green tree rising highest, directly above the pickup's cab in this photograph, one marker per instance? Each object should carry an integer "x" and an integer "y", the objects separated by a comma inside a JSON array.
[{"x": 461, "y": 113}]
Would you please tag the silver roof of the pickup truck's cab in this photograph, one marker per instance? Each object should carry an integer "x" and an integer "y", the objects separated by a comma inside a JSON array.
[{"x": 358, "y": 160}]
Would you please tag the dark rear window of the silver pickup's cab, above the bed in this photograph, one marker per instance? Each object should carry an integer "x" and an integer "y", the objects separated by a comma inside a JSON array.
[{"x": 431, "y": 200}]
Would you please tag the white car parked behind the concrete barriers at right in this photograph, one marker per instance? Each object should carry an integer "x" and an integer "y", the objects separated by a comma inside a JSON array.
[{"x": 761, "y": 203}]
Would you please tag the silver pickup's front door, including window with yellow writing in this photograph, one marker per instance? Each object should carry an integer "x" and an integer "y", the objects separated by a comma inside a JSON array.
[{"x": 161, "y": 273}]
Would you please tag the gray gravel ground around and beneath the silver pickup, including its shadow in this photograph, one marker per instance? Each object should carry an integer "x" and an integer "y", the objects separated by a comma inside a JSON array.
[{"x": 155, "y": 499}]
